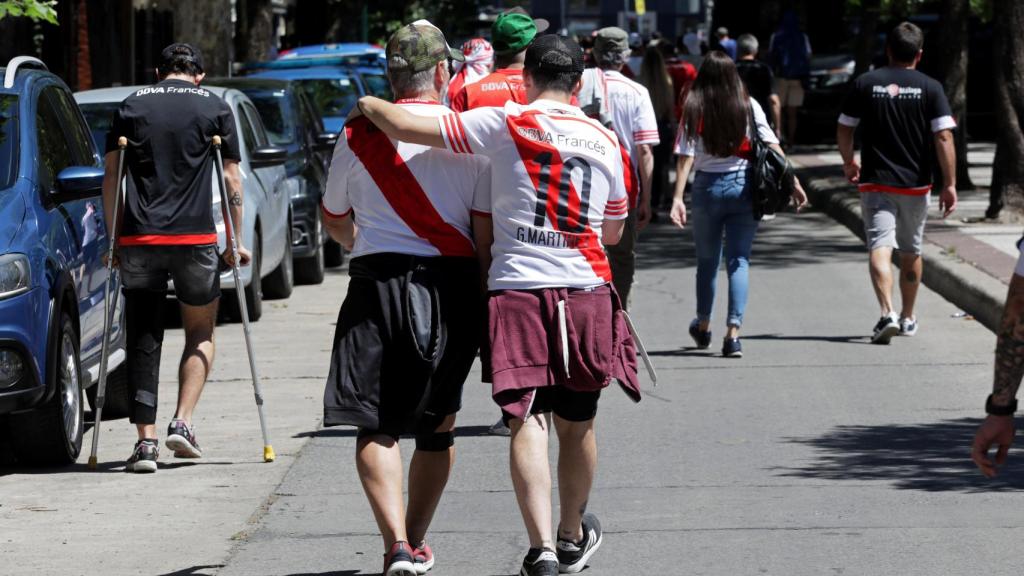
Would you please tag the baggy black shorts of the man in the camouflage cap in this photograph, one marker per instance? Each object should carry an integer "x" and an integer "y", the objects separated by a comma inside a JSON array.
[{"x": 408, "y": 335}]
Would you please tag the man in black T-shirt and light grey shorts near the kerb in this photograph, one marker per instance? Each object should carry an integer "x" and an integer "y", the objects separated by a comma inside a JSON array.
[{"x": 907, "y": 128}]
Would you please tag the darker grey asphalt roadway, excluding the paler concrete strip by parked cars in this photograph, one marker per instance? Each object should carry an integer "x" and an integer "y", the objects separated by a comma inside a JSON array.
[{"x": 816, "y": 455}]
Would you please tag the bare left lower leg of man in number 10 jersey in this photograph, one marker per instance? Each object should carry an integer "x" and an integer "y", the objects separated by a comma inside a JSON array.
[{"x": 532, "y": 477}]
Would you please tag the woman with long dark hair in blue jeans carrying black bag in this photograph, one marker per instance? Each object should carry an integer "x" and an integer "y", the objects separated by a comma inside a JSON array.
[{"x": 714, "y": 141}]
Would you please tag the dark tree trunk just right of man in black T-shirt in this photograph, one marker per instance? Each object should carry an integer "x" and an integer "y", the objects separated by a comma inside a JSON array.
[{"x": 952, "y": 49}]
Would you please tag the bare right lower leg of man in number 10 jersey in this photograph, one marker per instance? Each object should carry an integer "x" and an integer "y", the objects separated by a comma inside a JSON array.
[{"x": 577, "y": 463}]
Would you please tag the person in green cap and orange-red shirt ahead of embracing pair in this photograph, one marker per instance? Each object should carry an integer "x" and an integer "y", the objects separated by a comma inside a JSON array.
[{"x": 510, "y": 34}]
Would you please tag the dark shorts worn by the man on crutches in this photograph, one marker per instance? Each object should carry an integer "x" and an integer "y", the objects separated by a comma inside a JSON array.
[{"x": 195, "y": 270}]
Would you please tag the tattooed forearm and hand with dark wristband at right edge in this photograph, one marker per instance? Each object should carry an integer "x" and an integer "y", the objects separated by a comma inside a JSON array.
[{"x": 1009, "y": 371}]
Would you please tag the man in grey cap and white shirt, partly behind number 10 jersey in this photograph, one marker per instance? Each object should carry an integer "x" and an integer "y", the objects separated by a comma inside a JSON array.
[{"x": 625, "y": 107}]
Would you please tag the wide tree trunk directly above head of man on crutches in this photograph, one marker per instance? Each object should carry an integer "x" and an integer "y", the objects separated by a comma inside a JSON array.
[{"x": 206, "y": 25}]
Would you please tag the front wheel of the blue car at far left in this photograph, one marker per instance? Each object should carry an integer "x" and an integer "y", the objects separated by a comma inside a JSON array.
[{"x": 52, "y": 435}]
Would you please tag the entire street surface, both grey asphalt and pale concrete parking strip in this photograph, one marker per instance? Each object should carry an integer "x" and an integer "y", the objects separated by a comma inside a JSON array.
[{"x": 816, "y": 455}]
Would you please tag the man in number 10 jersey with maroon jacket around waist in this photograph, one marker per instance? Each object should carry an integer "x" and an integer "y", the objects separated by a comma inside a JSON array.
[{"x": 560, "y": 194}]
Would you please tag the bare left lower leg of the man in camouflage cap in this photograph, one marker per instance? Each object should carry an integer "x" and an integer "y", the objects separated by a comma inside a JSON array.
[{"x": 379, "y": 464}]
